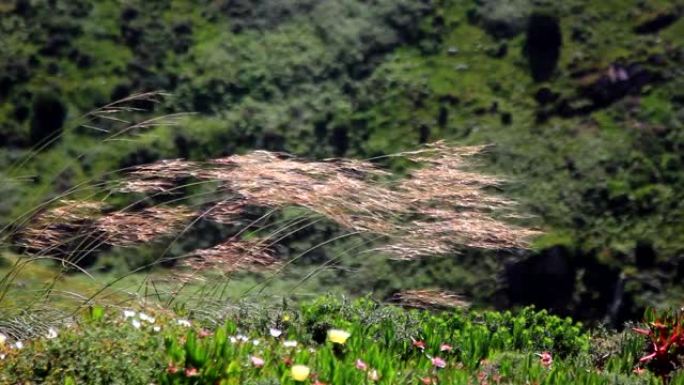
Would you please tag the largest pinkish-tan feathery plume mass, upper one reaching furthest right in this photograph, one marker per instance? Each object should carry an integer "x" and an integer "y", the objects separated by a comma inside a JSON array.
[{"x": 437, "y": 208}]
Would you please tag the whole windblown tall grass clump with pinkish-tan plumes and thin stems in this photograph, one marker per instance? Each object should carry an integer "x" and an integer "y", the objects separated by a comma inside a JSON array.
[{"x": 437, "y": 207}]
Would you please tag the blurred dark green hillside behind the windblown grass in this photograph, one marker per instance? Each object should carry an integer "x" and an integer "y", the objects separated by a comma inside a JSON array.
[{"x": 582, "y": 102}]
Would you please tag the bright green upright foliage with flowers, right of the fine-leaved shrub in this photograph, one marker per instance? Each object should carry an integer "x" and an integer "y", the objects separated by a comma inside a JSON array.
[{"x": 383, "y": 338}]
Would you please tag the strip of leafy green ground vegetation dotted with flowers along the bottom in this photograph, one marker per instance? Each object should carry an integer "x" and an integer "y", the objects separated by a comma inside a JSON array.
[{"x": 337, "y": 340}]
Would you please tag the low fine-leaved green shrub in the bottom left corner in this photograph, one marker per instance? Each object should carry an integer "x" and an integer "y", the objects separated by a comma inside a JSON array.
[{"x": 98, "y": 349}]
